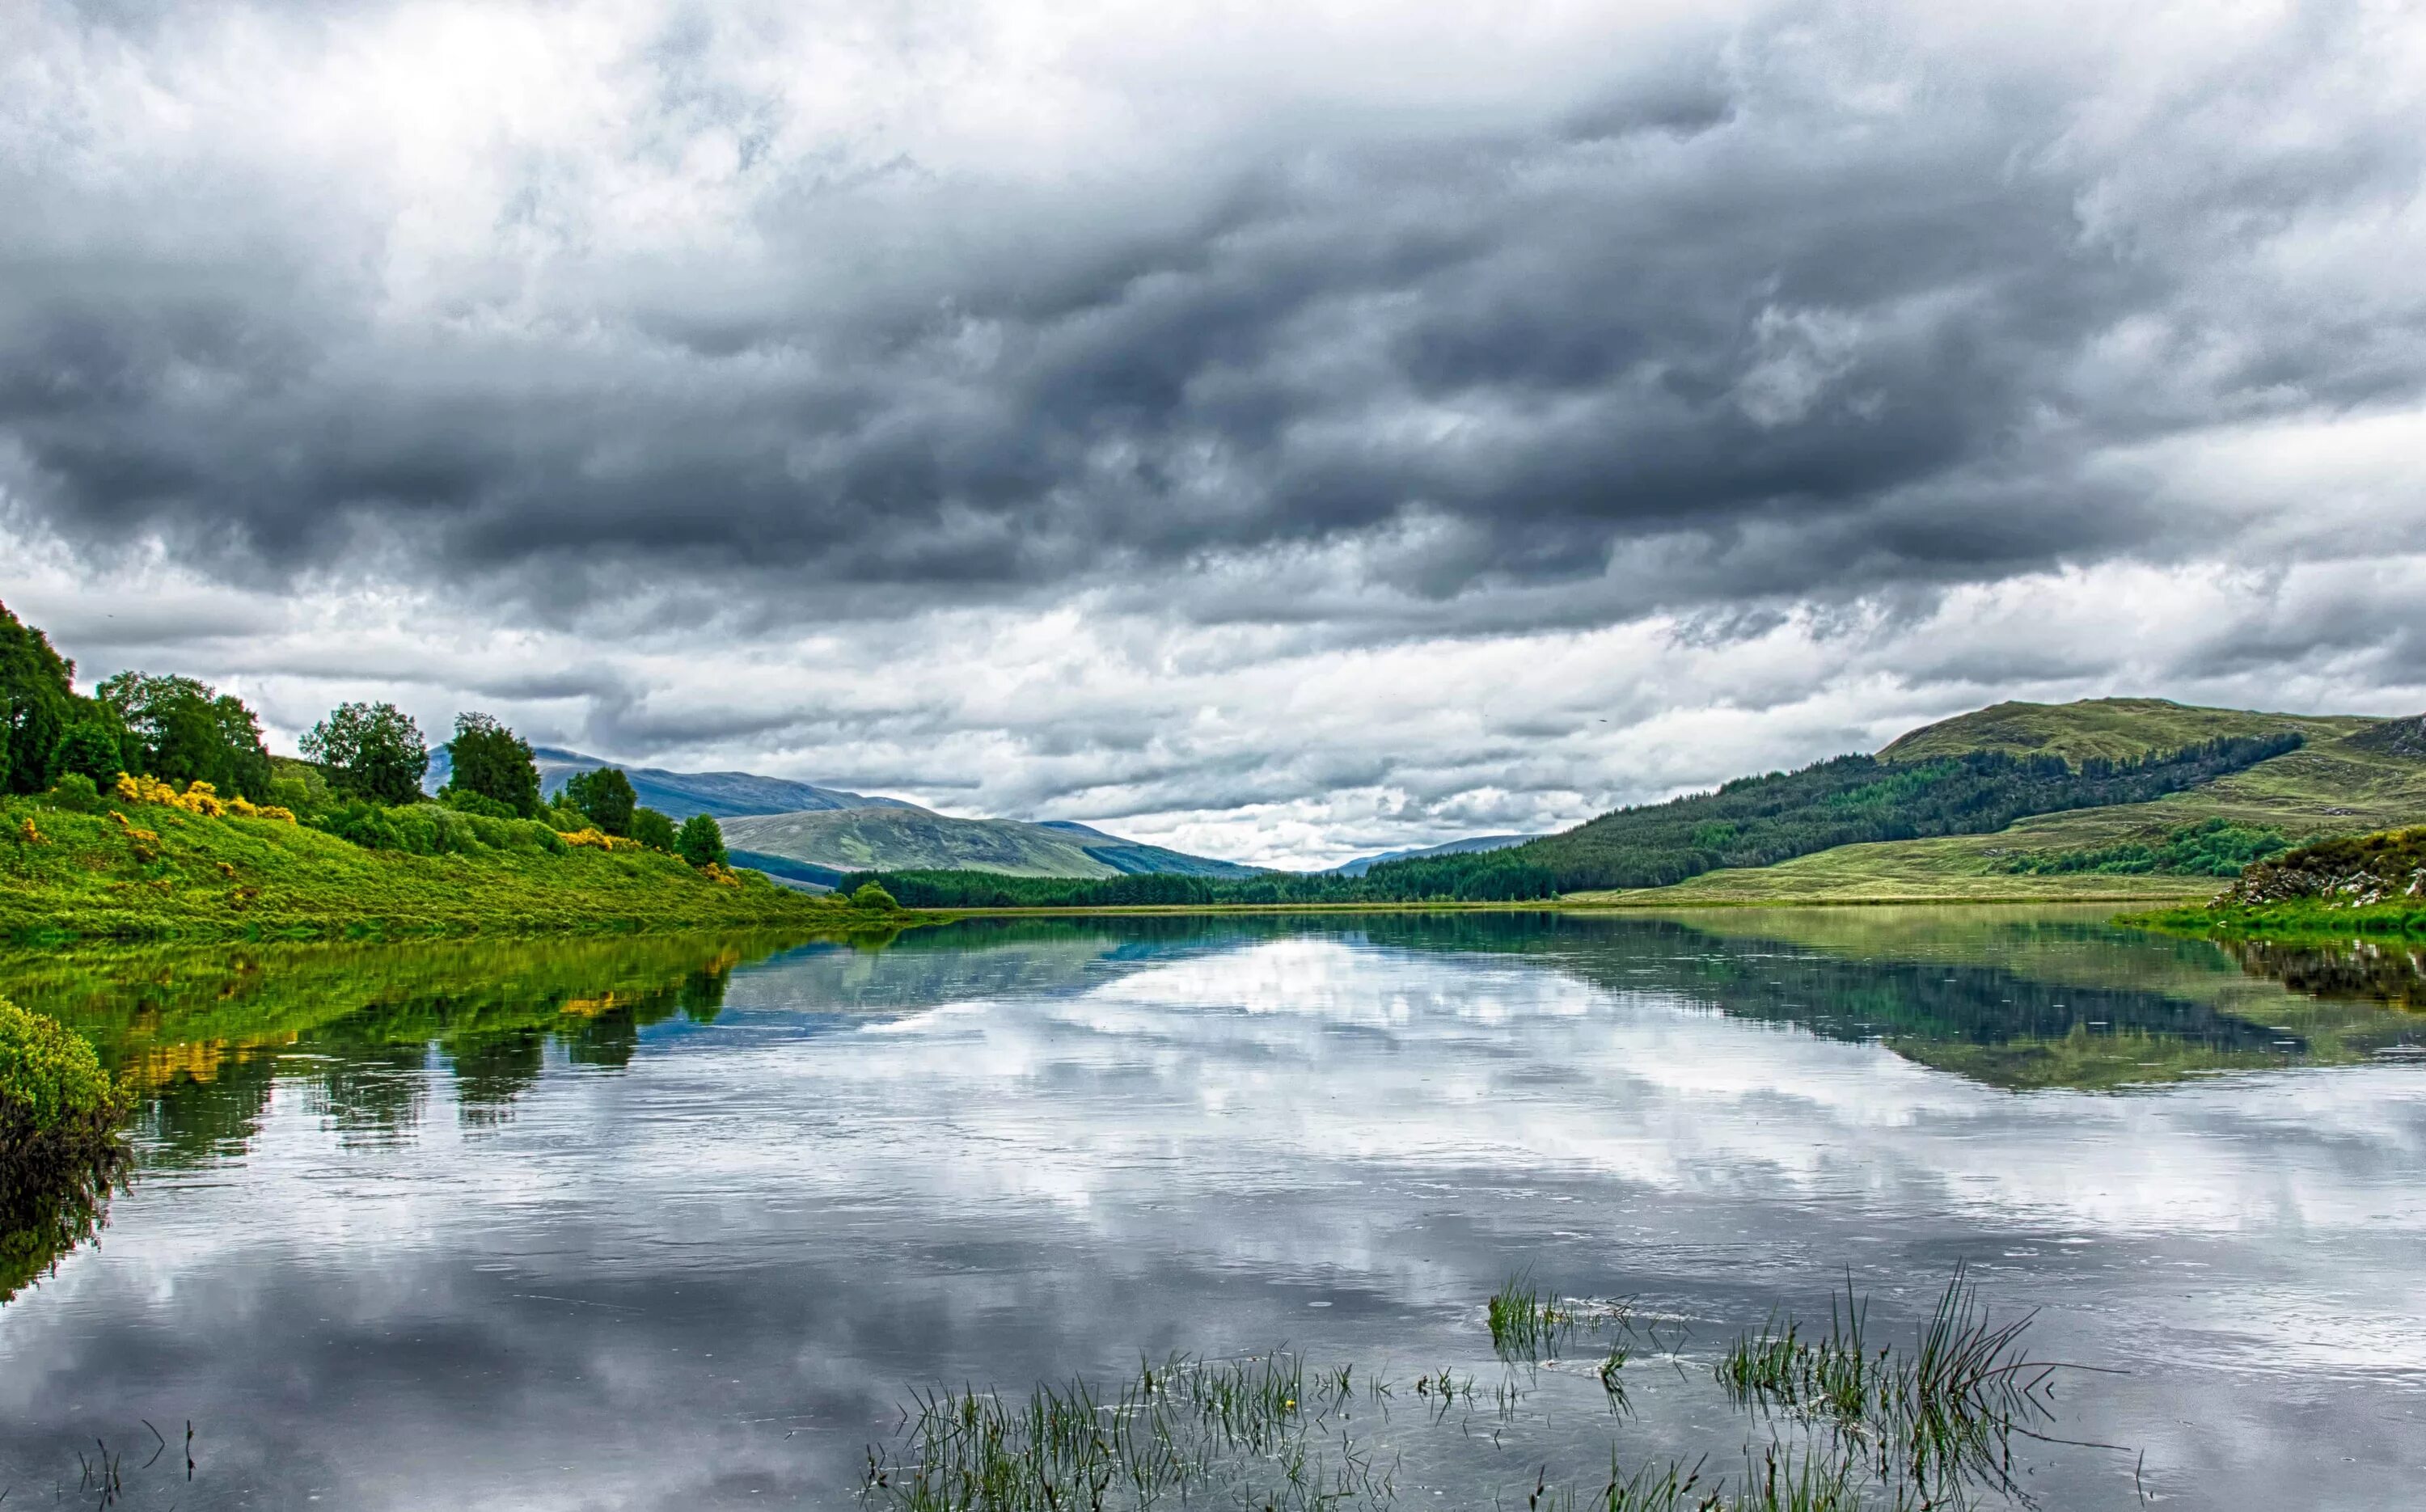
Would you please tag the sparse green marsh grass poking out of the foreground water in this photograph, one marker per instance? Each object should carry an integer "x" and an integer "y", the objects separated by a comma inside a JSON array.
[{"x": 1847, "y": 1426}]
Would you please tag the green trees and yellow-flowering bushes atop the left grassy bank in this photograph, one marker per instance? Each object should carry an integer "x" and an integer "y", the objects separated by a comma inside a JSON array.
[{"x": 360, "y": 780}]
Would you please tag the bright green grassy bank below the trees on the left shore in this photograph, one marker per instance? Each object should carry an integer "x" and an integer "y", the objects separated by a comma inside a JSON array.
[{"x": 169, "y": 875}]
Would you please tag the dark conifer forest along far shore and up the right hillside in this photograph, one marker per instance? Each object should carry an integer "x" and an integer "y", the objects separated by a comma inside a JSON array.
[{"x": 1755, "y": 822}]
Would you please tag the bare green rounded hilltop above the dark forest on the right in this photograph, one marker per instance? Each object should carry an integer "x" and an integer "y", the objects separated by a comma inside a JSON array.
[{"x": 2102, "y": 729}]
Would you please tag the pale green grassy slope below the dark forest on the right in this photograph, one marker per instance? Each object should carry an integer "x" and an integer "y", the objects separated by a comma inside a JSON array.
[{"x": 2330, "y": 788}]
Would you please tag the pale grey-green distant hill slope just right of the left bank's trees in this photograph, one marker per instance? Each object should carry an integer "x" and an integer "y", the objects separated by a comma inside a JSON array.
[{"x": 824, "y": 846}]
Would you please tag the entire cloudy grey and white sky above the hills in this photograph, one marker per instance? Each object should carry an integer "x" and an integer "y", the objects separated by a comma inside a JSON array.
[{"x": 1272, "y": 431}]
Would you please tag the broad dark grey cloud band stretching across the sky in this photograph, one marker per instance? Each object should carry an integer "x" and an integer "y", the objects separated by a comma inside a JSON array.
[{"x": 1724, "y": 312}]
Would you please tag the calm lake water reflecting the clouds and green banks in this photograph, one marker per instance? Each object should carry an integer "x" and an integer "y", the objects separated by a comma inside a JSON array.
[{"x": 680, "y": 1224}]
